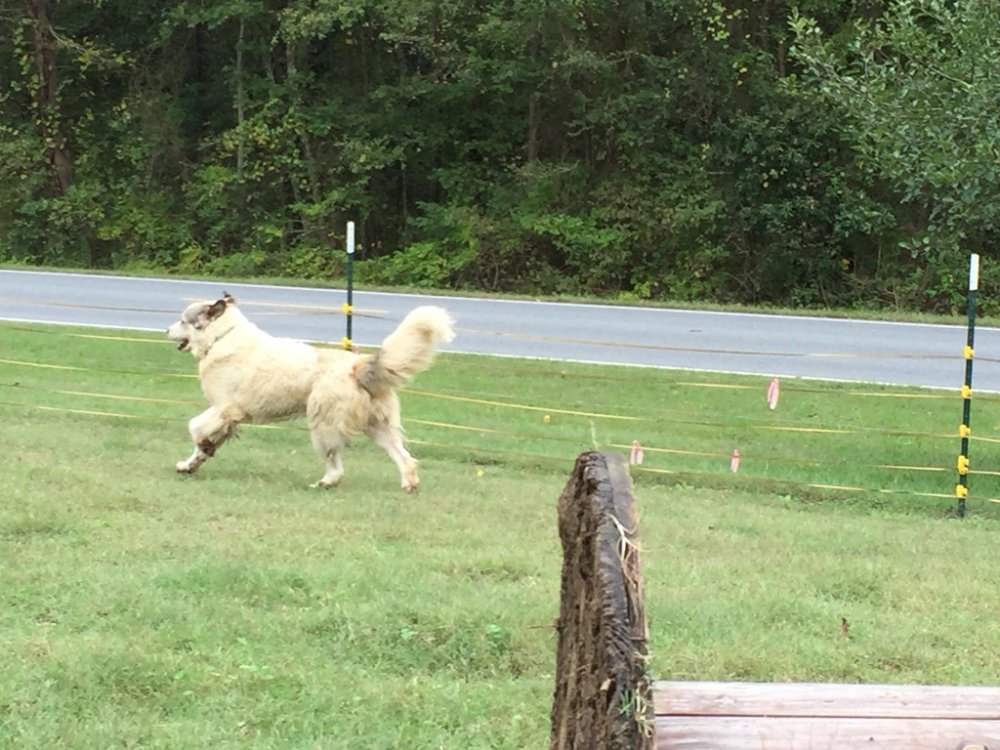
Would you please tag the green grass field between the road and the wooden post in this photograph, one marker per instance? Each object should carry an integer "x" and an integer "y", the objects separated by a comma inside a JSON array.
[{"x": 241, "y": 609}]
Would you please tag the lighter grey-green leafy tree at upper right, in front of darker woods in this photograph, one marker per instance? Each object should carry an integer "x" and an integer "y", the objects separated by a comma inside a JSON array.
[{"x": 918, "y": 94}]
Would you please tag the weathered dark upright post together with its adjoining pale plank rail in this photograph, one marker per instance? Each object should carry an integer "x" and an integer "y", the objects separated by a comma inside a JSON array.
[{"x": 604, "y": 699}]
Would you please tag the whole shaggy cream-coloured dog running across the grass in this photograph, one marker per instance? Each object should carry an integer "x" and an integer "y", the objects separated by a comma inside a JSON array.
[{"x": 250, "y": 376}]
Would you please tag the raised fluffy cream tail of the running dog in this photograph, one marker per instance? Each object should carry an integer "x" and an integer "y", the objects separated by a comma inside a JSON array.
[{"x": 408, "y": 350}]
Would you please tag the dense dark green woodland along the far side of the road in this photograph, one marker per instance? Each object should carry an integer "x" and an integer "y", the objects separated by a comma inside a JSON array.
[{"x": 819, "y": 153}]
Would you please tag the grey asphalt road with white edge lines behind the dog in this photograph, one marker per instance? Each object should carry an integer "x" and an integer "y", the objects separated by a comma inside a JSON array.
[{"x": 771, "y": 345}]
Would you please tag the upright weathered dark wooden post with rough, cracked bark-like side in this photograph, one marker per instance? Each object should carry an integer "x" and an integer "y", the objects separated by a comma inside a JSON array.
[{"x": 603, "y": 696}]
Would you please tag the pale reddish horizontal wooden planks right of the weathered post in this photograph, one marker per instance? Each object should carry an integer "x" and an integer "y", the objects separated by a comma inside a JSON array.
[{"x": 787, "y": 716}]
